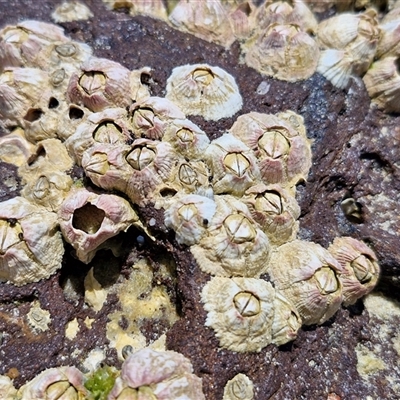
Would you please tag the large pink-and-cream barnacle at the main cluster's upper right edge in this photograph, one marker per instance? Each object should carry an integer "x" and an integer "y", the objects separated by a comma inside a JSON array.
[{"x": 283, "y": 153}]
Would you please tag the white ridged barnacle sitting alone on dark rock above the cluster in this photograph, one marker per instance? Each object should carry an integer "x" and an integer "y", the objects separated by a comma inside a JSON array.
[{"x": 201, "y": 89}]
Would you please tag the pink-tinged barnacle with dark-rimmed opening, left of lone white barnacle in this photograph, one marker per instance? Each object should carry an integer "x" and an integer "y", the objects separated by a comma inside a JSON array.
[{"x": 100, "y": 84}]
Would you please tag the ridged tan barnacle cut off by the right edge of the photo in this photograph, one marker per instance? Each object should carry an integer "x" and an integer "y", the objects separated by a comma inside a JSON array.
[{"x": 383, "y": 84}]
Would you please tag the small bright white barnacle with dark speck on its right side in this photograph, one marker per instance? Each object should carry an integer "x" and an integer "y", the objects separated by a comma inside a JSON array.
[{"x": 189, "y": 216}]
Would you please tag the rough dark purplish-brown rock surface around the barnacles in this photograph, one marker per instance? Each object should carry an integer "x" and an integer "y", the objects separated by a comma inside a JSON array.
[{"x": 355, "y": 155}]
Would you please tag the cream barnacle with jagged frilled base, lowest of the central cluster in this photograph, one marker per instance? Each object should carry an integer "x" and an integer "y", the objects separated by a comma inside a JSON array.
[{"x": 240, "y": 311}]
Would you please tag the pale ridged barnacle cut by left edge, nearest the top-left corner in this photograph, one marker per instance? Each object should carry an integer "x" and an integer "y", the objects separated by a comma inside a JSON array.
[{"x": 20, "y": 44}]
